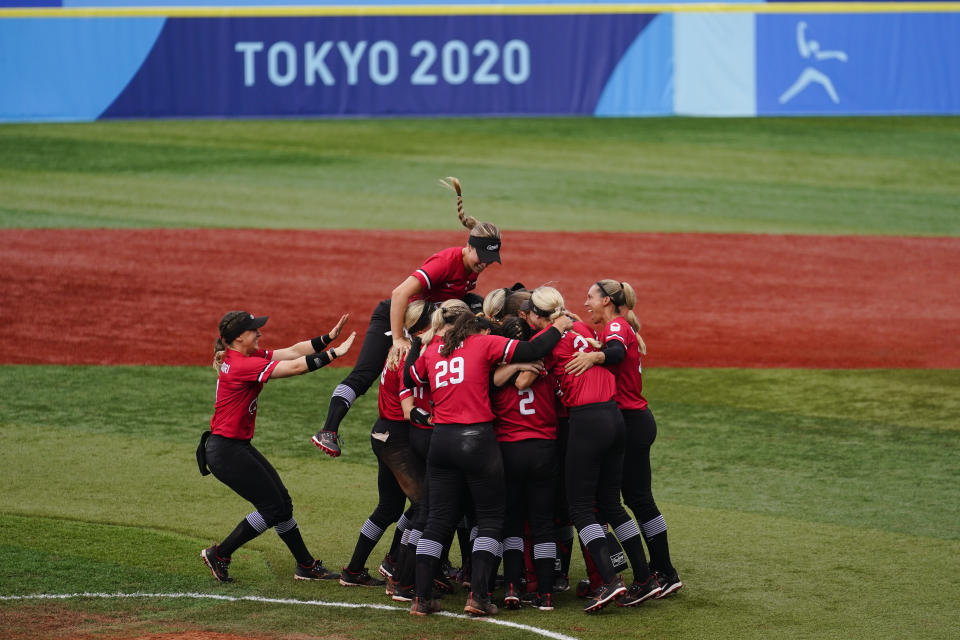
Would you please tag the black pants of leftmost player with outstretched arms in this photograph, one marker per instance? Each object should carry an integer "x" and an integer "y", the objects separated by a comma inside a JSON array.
[{"x": 239, "y": 465}]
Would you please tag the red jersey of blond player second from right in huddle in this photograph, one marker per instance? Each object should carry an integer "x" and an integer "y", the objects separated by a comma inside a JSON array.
[{"x": 596, "y": 384}]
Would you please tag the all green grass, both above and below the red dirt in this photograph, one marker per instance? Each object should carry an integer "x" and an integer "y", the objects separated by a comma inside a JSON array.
[{"x": 801, "y": 503}]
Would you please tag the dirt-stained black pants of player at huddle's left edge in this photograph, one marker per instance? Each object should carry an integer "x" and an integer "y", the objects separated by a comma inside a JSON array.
[{"x": 401, "y": 473}]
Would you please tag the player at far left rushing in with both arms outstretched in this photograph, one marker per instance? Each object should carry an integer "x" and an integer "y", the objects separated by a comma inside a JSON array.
[{"x": 243, "y": 368}]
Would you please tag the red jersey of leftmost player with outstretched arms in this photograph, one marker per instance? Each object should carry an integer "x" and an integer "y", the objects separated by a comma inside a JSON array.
[{"x": 238, "y": 386}]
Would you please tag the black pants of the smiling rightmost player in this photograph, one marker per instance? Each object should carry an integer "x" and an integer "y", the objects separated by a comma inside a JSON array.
[{"x": 641, "y": 431}]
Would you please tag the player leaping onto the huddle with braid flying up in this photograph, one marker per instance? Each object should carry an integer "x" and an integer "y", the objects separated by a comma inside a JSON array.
[{"x": 451, "y": 273}]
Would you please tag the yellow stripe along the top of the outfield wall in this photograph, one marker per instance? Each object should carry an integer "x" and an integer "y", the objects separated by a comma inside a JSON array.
[{"x": 477, "y": 10}]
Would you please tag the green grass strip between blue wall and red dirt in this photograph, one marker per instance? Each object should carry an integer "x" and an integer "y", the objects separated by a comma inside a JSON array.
[{"x": 836, "y": 176}]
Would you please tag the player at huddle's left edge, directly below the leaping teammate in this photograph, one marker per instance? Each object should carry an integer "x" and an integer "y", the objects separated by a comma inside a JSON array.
[{"x": 400, "y": 471}]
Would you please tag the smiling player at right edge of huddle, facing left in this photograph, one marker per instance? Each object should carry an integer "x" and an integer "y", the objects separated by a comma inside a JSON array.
[{"x": 610, "y": 304}]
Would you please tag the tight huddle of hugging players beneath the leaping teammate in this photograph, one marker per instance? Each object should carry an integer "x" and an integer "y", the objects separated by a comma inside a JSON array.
[{"x": 520, "y": 418}]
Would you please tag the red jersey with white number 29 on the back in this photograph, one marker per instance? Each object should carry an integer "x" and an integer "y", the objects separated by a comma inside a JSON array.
[{"x": 460, "y": 383}]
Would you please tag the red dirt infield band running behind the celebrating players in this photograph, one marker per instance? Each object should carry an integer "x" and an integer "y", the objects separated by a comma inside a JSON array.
[{"x": 155, "y": 296}]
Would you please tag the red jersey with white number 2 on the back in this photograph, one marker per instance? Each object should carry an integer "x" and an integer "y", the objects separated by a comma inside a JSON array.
[{"x": 523, "y": 414}]
